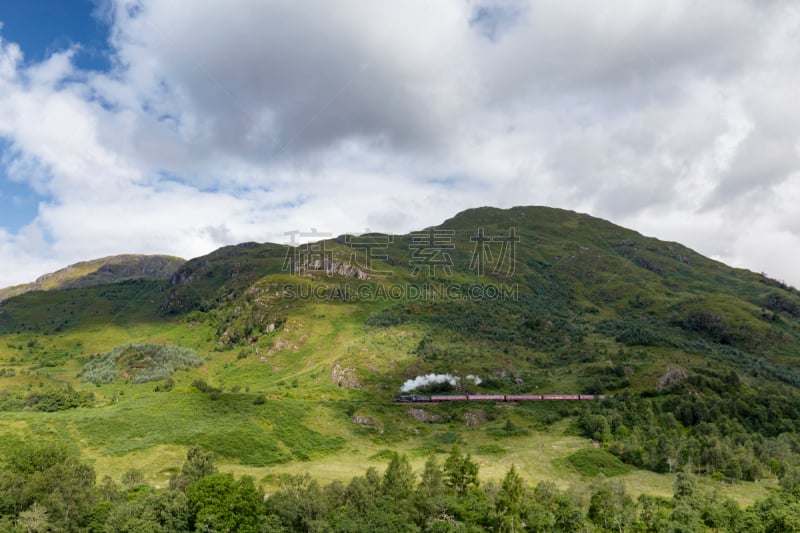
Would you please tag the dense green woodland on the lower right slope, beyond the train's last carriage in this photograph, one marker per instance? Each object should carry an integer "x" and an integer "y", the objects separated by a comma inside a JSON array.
[{"x": 708, "y": 424}]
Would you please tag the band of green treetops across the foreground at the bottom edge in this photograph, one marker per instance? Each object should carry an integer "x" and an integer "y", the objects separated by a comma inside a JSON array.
[{"x": 43, "y": 487}]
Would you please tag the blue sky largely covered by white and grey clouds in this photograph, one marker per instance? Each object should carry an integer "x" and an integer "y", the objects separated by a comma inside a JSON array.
[{"x": 173, "y": 127}]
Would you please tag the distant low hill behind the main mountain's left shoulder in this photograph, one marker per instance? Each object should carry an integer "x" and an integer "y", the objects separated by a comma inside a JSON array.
[{"x": 99, "y": 272}]
